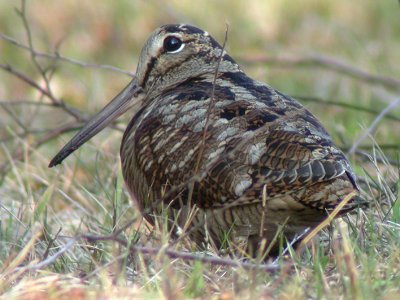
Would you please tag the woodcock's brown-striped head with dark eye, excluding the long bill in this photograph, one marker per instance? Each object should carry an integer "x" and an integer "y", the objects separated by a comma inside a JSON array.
[{"x": 176, "y": 53}]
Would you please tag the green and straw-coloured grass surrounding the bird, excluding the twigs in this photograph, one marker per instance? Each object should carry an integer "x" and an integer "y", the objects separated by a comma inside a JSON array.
[{"x": 357, "y": 257}]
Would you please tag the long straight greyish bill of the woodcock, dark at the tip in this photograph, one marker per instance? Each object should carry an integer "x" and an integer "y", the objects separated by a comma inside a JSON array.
[{"x": 120, "y": 104}]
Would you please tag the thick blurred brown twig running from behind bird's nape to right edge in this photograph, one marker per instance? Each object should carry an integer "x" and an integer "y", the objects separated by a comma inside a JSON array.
[{"x": 326, "y": 62}]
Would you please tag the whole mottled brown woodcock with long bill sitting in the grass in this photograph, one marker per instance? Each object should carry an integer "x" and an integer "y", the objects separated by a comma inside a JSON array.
[{"x": 230, "y": 160}]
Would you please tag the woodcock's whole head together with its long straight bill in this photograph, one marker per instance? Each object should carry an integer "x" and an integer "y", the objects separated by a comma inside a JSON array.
[{"x": 171, "y": 55}]
